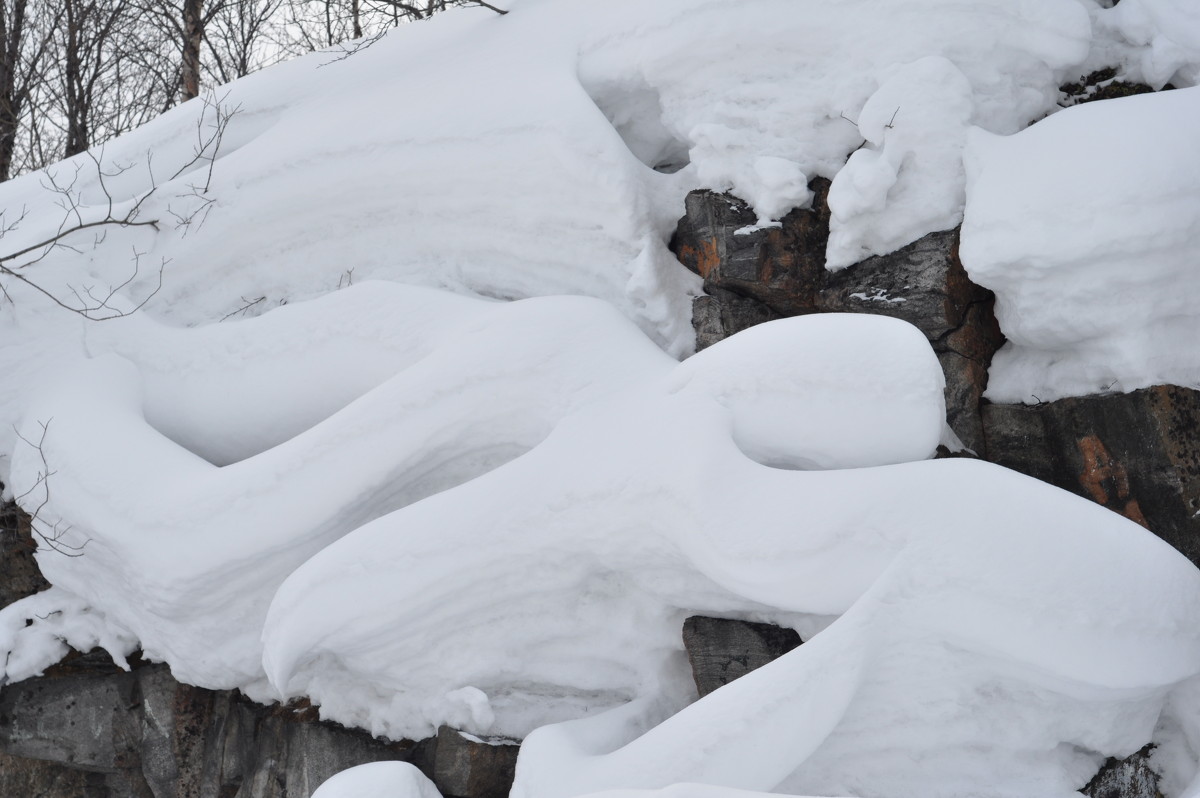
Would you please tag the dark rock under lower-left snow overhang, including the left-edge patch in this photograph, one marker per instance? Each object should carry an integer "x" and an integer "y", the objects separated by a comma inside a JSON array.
[{"x": 89, "y": 730}]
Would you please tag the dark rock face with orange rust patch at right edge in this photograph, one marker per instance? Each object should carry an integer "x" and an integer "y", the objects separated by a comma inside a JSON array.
[{"x": 1137, "y": 454}]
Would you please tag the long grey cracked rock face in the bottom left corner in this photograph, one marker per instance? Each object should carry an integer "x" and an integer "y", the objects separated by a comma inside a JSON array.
[{"x": 99, "y": 731}]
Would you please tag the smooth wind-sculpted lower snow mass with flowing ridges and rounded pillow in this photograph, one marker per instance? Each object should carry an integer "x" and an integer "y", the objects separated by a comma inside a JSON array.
[{"x": 508, "y": 530}]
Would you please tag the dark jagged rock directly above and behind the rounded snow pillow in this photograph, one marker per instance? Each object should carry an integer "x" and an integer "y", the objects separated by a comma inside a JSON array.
[{"x": 758, "y": 275}]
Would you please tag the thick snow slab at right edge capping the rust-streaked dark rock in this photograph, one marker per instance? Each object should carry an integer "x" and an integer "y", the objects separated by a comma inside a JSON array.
[{"x": 1088, "y": 229}]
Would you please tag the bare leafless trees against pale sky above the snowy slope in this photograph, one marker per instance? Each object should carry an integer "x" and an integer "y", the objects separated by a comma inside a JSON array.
[{"x": 75, "y": 74}]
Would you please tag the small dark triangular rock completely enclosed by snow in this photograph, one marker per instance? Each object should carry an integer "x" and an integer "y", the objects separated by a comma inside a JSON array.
[{"x": 722, "y": 650}]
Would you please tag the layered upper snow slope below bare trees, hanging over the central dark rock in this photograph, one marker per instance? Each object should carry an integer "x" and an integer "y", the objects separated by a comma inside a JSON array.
[{"x": 547, "y": 152}]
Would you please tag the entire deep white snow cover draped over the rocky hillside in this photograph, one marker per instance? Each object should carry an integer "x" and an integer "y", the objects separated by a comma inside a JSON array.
[{"x": 481, "y": 490}]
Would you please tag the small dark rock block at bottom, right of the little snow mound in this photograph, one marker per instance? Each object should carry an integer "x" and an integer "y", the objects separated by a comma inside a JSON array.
[{"x": 467, "y": 767}]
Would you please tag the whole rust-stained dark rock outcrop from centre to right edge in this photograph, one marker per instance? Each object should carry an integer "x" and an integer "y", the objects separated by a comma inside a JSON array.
[{"x": 1137, "y": 454}]
